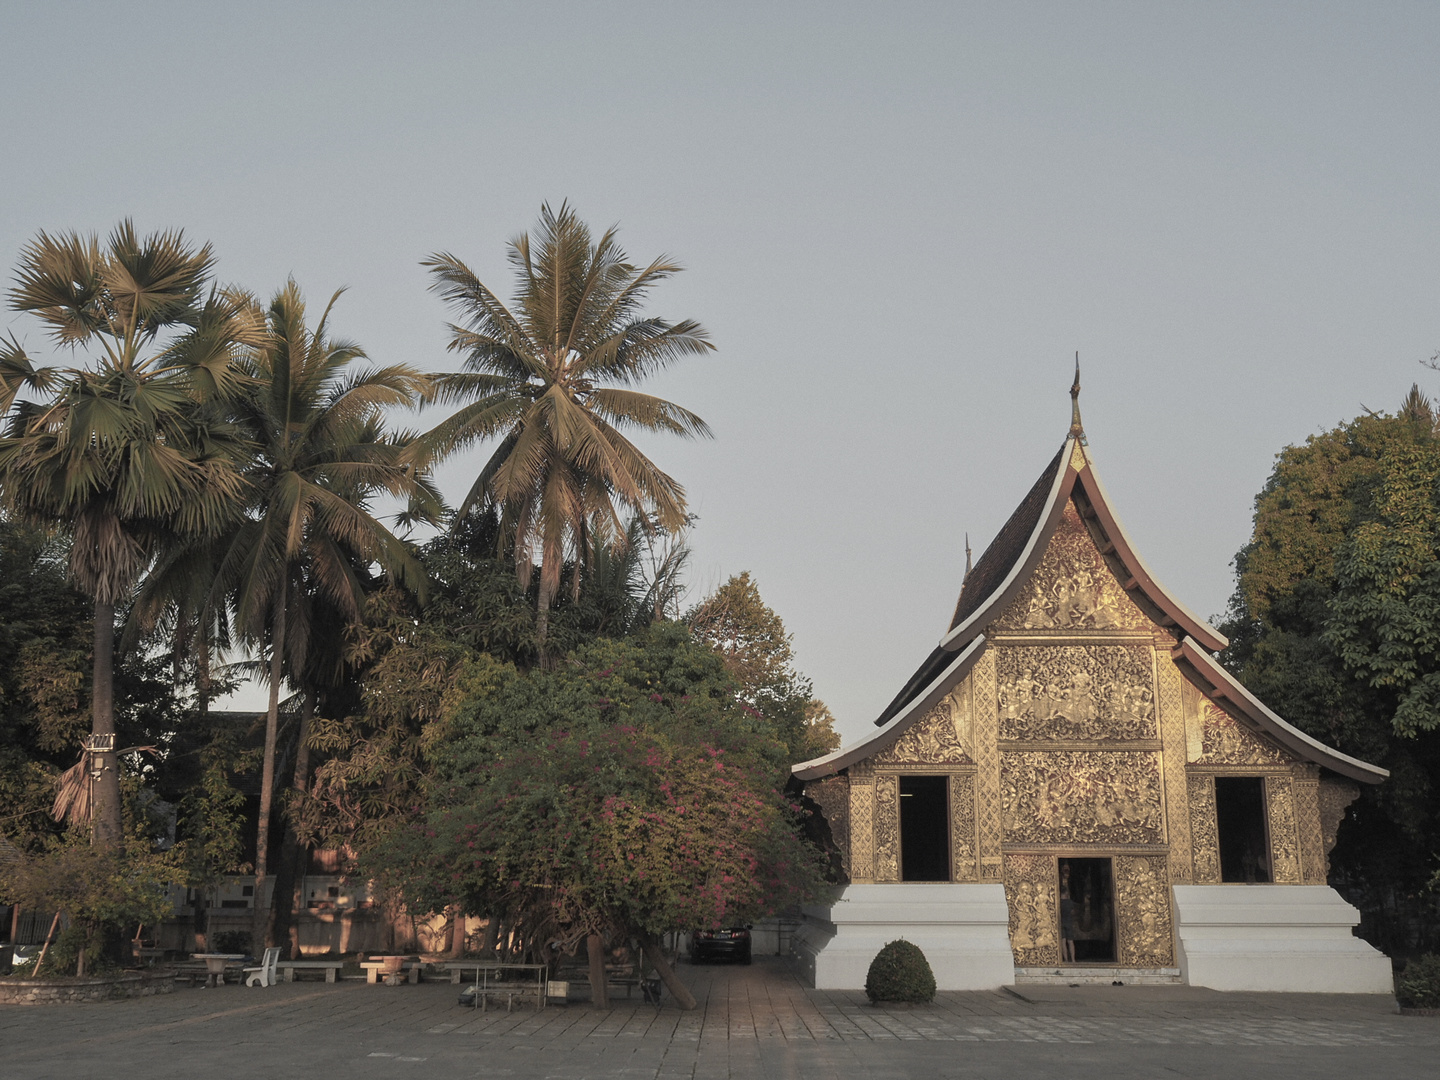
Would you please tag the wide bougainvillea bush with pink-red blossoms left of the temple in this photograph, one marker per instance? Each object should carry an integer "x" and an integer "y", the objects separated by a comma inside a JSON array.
[{"x": 624, "y": 790}]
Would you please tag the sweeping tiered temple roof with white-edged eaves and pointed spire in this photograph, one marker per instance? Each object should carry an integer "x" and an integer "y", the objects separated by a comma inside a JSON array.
[{"x": 1003, "y": 574}]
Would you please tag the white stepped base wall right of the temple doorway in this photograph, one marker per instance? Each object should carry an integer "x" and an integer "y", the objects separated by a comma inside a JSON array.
[{"x": 1275, "y": 938}]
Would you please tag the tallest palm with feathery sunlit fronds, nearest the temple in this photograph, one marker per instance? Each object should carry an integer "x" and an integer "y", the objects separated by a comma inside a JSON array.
[{"x": 551, "y": 379}]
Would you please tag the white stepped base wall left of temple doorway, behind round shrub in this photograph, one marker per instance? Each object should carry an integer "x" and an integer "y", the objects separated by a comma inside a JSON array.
[{"x": 963, "y": 930}]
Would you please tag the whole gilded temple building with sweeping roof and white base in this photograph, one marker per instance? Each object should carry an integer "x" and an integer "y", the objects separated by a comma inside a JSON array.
[{"x": 1072, "y": 788}]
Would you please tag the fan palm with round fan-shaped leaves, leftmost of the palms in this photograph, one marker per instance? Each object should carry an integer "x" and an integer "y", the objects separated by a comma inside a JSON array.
[{"x": 130, "y": 449}]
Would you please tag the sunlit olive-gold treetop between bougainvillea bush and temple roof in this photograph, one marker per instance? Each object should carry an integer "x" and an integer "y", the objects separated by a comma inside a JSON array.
[{"x": 760, "y": 654}]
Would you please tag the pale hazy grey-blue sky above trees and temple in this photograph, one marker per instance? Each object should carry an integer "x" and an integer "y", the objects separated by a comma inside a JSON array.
[{"x": 901, "y": 222}]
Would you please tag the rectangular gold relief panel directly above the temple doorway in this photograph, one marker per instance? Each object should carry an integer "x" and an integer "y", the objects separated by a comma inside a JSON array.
[{"x": 1082, "y": 797}]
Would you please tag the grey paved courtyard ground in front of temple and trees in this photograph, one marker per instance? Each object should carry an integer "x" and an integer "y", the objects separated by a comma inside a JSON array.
[{"x": 752, "y": 1023}]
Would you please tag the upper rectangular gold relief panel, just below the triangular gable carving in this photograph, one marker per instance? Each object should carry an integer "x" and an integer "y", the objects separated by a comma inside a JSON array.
[{"x": 1059, "y": 693}]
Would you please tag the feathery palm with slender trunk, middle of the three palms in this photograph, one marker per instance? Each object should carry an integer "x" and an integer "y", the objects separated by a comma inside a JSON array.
[{"x": 323, "y": 459}]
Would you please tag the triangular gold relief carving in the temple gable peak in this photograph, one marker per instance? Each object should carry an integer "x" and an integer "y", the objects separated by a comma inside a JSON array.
[{"x": 1074, "y": 588}]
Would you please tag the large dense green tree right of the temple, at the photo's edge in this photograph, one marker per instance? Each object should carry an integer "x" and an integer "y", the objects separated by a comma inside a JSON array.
[{"x": 1334, "y": 624}]
